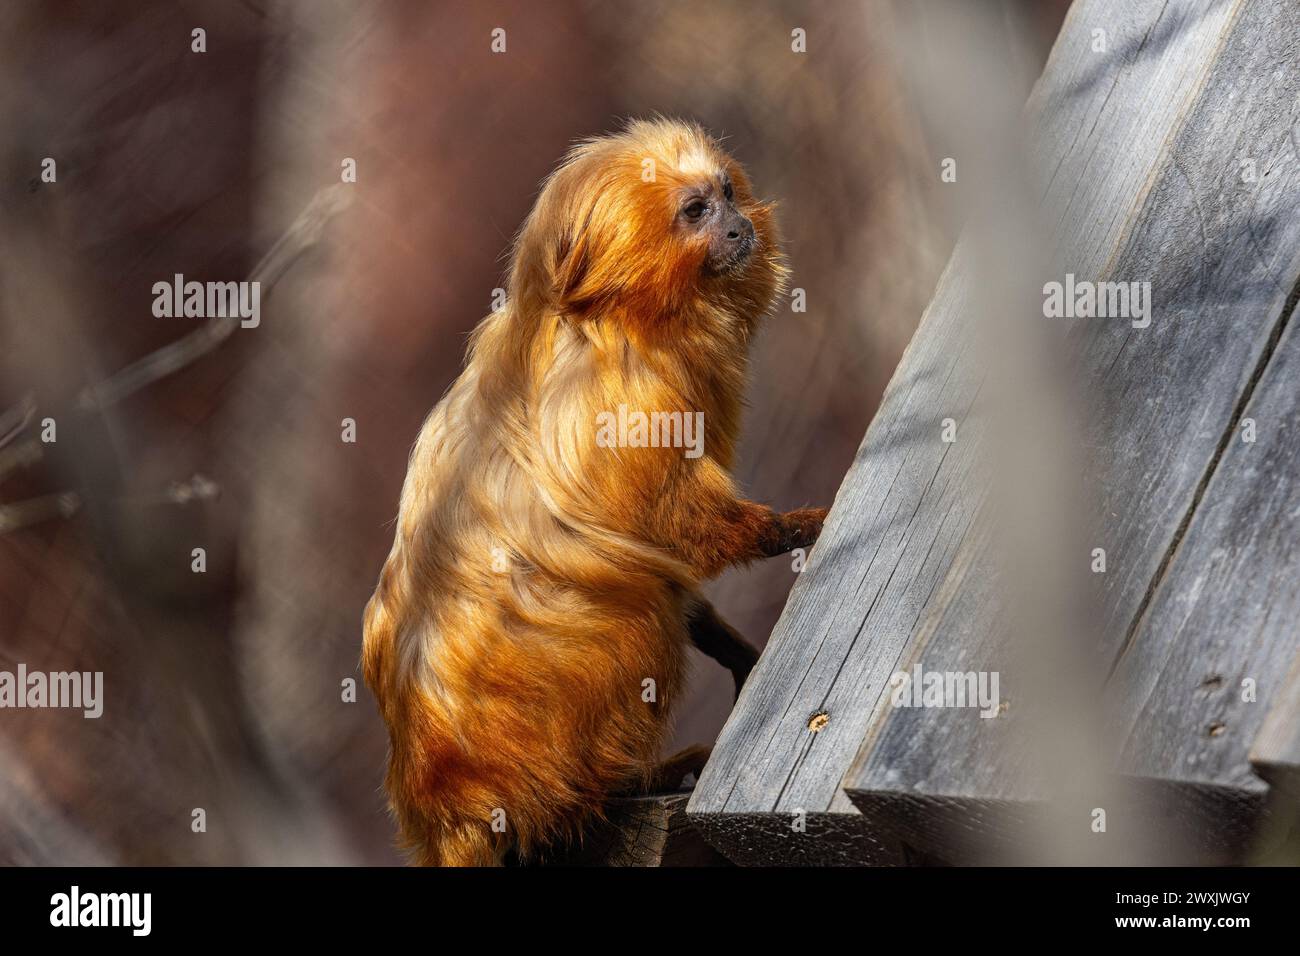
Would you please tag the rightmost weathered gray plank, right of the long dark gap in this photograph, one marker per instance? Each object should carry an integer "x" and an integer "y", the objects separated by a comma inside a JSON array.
[{"x": 1212, "y": 655}]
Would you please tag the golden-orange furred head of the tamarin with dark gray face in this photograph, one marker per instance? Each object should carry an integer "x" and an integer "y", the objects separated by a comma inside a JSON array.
[{"x": 652, "y": 226}]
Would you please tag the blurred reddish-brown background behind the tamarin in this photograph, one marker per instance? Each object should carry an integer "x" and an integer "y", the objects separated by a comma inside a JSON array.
[{"x": 223, "y": 691}]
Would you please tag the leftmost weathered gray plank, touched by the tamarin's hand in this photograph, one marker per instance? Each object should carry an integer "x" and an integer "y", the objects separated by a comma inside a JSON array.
[{"x": 1102, "y": 122}]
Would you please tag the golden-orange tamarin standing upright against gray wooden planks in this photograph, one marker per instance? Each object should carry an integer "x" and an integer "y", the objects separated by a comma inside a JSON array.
[{"x": 528, "y": 634}]
